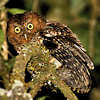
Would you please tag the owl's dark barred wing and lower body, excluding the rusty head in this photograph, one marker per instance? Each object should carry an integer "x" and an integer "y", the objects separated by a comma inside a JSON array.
[{"x": 66, "y": 48}]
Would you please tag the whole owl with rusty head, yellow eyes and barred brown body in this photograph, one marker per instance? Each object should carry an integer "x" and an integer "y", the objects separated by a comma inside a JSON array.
[{"x": 72, "y": 62}]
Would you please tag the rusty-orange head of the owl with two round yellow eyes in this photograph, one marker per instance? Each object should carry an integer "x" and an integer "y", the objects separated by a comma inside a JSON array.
[{"x": 22, "y": 27}]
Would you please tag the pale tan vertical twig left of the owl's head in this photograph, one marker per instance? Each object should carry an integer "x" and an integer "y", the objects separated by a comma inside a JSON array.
[{"x": 3, "y": 18}]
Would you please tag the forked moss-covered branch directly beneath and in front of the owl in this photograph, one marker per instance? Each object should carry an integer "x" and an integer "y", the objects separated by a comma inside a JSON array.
[{"x": 36, "y": 58}]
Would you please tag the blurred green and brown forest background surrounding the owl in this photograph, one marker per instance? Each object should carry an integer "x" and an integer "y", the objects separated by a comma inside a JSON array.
[{"x": 82, "y": 16}]
